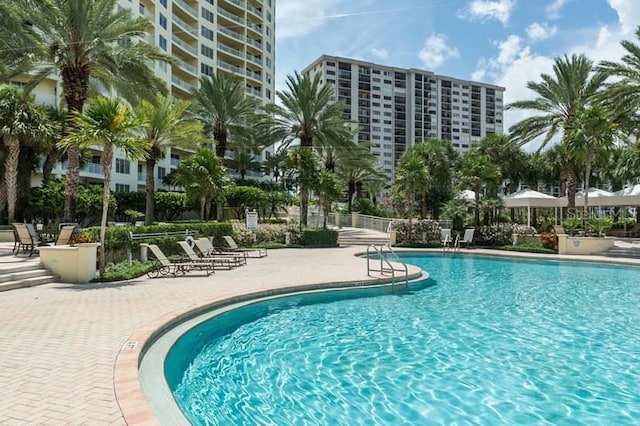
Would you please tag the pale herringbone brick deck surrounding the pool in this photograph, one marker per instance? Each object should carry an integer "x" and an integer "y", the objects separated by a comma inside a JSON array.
[{"x": 61, "y": 344}]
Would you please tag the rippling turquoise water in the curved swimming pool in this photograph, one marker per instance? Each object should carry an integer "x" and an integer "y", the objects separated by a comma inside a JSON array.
[{"x": 489, "y": 341}]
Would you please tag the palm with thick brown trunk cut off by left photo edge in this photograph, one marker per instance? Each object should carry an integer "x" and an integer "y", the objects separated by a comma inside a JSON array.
[{"x": 20, "y": 121}]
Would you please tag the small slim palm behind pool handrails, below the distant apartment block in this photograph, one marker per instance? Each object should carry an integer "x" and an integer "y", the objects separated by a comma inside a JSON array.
[{"x": 412, "y": 177}]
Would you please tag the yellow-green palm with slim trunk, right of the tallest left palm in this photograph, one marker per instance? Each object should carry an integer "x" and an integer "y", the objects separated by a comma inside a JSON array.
[{"x": 164, "y": 124}]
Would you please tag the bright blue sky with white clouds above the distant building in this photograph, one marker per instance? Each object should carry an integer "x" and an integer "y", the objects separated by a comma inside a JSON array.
[{"x": 504, "y": 42}]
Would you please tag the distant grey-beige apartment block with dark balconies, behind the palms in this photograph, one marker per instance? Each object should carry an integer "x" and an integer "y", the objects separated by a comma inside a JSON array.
[{"x": 398, "y": 107}]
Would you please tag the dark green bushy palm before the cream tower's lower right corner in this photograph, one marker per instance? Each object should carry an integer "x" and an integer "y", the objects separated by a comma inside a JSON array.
[{"x": 224, "y": 109}]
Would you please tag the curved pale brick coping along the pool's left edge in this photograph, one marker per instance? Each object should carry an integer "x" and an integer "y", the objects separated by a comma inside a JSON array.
[{"x": 130, "y": 397}]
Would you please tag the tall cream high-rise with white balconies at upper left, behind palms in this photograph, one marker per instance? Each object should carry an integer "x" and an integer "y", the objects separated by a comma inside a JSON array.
[{"x": 235, "y": 37}]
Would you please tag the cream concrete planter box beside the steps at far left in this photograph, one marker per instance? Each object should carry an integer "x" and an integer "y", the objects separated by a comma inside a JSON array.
[{"x": 74, "y": 264}]
